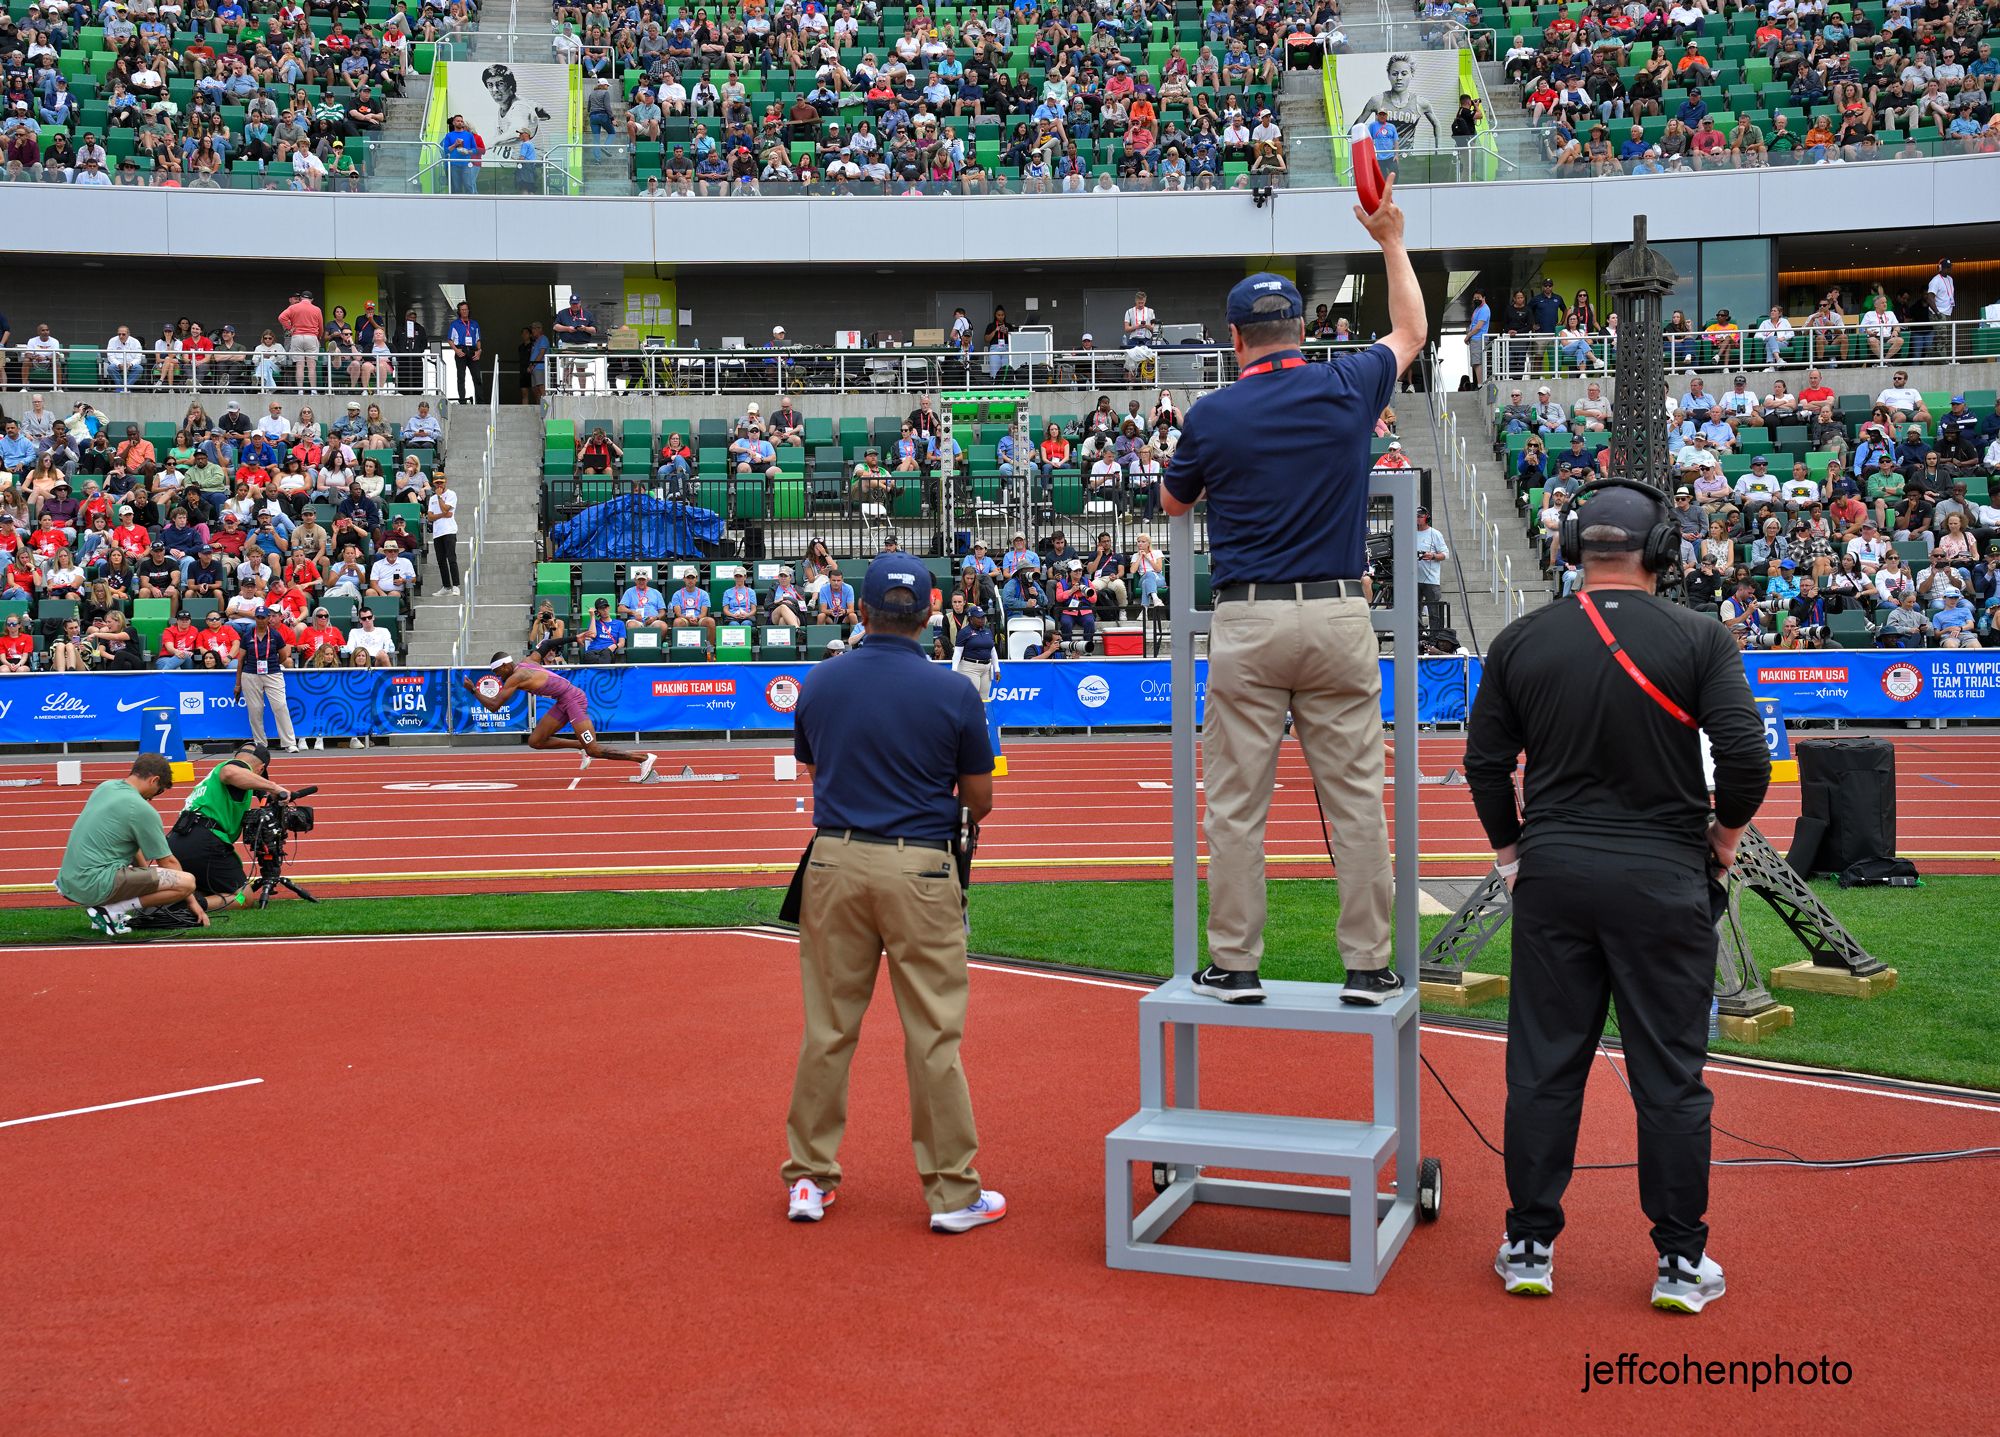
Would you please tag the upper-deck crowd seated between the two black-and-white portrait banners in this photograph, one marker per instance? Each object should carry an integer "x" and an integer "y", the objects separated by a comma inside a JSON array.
[{"x": 867, "y": 99}]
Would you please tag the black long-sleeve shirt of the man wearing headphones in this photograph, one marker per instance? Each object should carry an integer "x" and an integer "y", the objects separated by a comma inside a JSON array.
[{"x": 1607, "y": 766}]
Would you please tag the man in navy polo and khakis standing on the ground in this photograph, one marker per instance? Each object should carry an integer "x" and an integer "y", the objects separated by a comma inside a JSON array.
[{"x": 895, "y": 748}]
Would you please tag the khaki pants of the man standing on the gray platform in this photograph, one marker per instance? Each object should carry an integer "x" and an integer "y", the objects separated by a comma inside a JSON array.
[{"x": 1317, "y": 659}]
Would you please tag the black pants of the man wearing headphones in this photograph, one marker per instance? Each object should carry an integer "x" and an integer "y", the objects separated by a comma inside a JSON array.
[{"x": 1589, "y": 928}]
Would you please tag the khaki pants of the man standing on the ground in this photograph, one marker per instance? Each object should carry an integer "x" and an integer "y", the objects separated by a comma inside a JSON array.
[{"x": 861, "y": 900}]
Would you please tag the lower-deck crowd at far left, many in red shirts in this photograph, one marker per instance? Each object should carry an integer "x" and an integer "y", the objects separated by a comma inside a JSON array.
[{"x": 157, "y": 545}]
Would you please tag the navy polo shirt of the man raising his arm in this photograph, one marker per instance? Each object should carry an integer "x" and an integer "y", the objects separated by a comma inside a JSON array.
[{"x": 1283, "y": 455}]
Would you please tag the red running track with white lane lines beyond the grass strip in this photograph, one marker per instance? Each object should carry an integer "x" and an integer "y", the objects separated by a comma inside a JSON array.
[{"x": 557, "y": 830}]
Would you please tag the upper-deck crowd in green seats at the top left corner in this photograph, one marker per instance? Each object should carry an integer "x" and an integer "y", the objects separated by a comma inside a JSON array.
[{"x": 203, "y": 95}]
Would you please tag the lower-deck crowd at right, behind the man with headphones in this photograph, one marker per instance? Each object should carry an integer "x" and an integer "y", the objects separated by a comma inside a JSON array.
[{"x": 1809, "y": 519}]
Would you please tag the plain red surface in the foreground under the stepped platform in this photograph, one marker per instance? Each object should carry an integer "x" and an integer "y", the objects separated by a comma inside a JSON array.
[{"x": 511, "y": 1186}]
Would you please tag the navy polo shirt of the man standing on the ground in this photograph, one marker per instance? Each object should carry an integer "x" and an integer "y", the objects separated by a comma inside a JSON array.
[{"x": 887, "y": 734}]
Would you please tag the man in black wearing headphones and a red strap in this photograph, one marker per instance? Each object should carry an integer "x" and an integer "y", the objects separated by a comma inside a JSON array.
[{"x": 1615, "y": 862}]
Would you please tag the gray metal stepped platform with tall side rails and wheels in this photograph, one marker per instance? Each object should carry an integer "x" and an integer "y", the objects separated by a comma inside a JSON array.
[{"x": 1173, "y": 1136}]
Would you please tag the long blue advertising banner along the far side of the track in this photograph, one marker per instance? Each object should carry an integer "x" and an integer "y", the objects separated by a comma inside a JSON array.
[{"x": 1111, "y": 693}]
